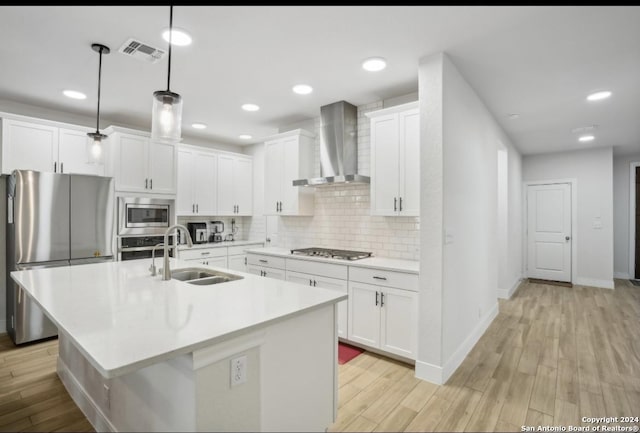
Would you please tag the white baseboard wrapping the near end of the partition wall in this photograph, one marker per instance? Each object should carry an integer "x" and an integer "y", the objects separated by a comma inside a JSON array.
[{"x": 439, "y": 375}]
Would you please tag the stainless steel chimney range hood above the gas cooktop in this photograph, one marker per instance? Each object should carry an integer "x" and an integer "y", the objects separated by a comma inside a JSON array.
[{"x": 338, "y": 147}]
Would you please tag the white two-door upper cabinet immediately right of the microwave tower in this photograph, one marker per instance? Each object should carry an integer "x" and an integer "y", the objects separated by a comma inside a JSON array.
[{"x": 196, "y": 185}]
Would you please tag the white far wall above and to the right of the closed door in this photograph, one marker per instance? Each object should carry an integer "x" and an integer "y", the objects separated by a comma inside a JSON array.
[{"x": 593, "y": 171}]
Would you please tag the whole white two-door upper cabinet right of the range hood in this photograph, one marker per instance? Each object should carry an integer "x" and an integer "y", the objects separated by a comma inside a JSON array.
[{"x": 395, "y": 160}]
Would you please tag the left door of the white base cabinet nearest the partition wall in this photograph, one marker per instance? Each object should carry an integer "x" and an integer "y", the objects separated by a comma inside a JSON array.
[{"x": 364, "y": 314}]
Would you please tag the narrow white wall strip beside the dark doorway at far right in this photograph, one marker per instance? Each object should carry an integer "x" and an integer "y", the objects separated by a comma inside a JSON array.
[{"x": 621, "y": 235}]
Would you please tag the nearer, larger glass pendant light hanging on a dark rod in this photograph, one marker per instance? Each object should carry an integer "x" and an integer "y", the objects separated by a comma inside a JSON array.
[{"x": 166, "y": 120}]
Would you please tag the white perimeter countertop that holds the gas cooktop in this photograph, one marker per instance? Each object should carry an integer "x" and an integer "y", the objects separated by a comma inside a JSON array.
[{"x": 409, "y": 266}]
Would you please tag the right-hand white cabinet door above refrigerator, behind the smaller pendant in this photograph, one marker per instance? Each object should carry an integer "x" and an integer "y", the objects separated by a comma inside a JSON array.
[{"x": 72, "y": 153}]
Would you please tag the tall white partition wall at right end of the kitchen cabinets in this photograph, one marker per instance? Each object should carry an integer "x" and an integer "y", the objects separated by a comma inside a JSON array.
[{"x": 459, "y": 189}]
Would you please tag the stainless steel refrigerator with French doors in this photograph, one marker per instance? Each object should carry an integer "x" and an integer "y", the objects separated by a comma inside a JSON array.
[{"x": 53, "y": 220}]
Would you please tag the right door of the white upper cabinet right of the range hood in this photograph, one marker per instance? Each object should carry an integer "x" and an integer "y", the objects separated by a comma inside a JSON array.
[{"x": 409, "y": 163}]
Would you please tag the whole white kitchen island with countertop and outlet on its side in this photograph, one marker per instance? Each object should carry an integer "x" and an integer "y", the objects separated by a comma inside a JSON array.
[{"x": 141, "y": 354}]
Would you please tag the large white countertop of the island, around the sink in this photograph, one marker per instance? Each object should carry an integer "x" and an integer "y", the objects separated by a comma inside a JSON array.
[{"x": 122, "y": 319}]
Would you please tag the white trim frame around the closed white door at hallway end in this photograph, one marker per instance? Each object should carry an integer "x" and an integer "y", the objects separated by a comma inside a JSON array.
[{"x": 574, "y": 223}]
